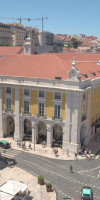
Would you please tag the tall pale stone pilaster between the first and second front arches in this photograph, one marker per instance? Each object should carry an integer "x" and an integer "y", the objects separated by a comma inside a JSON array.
[{"x": 17, "y": 127}]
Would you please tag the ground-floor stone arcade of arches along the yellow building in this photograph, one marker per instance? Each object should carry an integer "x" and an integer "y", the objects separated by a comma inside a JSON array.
[{"x": 40, "y": 129}]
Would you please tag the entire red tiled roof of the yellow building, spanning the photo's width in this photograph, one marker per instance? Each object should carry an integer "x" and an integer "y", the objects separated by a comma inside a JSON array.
[{"x": 49, "y": 66}]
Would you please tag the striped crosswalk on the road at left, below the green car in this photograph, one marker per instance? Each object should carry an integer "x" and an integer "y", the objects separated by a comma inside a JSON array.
[{"x": 9, "y": 153}]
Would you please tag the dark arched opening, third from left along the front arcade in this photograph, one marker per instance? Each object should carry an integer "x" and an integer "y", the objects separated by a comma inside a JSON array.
[{"x": 42, "y": 132}]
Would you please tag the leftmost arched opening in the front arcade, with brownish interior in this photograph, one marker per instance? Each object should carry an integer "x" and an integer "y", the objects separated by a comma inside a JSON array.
[{"x": 10, "y": 126}]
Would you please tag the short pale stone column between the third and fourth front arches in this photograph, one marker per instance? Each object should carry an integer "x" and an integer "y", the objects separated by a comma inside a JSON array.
[{"x": 49, "y": 135}]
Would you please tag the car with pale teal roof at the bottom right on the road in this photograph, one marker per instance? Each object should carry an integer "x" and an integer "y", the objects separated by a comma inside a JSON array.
[{"x": 86, "y": 193}]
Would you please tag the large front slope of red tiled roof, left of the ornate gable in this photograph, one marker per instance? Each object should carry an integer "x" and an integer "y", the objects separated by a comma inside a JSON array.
[{"x": 39, "y": 66}]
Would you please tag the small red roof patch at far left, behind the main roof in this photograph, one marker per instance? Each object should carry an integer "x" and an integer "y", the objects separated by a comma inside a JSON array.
[{"x": 9, "y": 50}]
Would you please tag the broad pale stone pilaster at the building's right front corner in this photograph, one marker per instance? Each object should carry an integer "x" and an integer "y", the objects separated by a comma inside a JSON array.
[{"x": 71, "y": 138}]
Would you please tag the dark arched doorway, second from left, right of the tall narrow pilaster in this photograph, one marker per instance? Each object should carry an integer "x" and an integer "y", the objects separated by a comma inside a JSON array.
[{"x": 27, "y": 130}]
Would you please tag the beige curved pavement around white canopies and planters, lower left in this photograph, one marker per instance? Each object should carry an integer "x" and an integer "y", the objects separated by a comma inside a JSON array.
[{"x": 38, "y": 192}]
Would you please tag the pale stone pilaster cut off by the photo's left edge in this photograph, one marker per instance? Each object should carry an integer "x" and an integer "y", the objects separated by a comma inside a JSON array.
[{"x": 1, "y": 118}]
